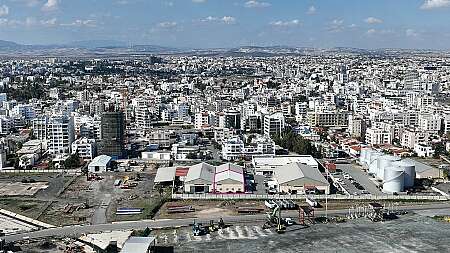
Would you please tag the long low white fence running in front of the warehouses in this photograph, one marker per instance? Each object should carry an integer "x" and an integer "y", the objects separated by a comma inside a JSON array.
[{"x": 302, "y": 197}]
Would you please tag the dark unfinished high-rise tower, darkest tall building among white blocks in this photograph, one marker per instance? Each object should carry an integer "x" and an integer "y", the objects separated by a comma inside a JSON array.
[{"x": 112, "y": 135}]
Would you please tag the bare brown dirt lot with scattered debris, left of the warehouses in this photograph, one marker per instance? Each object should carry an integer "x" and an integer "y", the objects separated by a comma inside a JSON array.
[{"x": 82, "y": 201}]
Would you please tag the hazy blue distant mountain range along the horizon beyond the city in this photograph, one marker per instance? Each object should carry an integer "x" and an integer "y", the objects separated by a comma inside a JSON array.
[{"x": 105, "y": 47}]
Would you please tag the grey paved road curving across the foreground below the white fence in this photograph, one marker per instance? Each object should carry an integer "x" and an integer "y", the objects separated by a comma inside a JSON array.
[{"x": 76, "y": 231}]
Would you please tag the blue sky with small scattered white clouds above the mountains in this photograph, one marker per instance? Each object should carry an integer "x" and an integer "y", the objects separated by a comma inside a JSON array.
[{"x": 231, "y": 23}]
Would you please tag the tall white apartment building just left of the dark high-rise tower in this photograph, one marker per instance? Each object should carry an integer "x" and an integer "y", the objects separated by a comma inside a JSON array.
[{"x": 58, "y": 131}]
